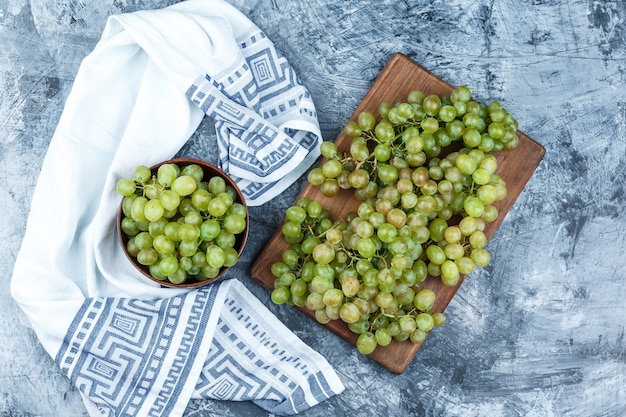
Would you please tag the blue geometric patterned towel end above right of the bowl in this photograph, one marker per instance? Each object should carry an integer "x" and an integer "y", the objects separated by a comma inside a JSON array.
[{"x": 249, "y": 102}]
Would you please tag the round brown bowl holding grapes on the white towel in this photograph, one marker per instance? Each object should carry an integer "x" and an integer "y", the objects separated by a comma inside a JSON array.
[{"x": 240, "y": 239}]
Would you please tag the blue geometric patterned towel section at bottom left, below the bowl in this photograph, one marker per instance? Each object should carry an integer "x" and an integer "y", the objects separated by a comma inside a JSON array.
[{"x": 115, "y": 349}]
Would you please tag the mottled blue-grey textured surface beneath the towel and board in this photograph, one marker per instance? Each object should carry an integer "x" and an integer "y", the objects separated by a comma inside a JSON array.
[{"x": 539, "y": 333}]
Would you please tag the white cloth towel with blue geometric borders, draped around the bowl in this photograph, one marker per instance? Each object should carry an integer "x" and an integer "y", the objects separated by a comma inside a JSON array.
[{"x": 131, "y": 347}]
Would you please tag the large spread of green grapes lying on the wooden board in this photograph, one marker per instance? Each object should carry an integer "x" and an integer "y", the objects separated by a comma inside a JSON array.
[{"x": 427, "y": 181}]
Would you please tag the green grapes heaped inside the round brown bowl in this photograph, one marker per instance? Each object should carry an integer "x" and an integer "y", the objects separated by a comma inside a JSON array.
[{"x": 179, "y": 224}]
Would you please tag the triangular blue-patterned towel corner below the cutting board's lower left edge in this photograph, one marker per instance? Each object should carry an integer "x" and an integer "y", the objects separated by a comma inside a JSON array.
[{"x": 245, "y": 363}]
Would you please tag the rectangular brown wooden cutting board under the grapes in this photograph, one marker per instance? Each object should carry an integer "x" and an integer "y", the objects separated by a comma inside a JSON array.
[{"x": 398, "y": 78}]
